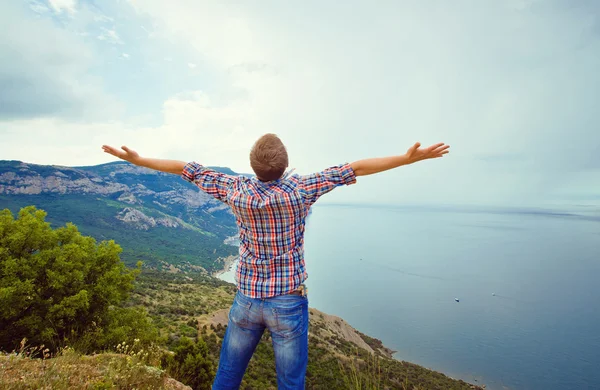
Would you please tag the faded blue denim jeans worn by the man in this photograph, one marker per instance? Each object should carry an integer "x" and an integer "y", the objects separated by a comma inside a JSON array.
[{"x": 286, "y": 317}]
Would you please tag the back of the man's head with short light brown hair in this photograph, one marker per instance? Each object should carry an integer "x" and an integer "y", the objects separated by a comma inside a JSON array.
[{"x": 268, "y": 158}]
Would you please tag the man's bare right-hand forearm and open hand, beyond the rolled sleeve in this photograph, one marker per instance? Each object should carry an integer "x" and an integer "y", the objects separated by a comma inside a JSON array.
[{"x": 414, "y": 154}]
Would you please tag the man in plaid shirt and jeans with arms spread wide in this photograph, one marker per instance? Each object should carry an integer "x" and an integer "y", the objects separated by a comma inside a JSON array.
[{"x": 270, "y": 211}]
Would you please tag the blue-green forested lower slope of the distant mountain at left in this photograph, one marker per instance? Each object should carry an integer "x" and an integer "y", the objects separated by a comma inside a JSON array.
[{"x": 95, "y": 216}]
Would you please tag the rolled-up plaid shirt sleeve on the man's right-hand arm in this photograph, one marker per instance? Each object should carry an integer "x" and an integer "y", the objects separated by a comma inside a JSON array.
[{"x": 318, "y": 184}]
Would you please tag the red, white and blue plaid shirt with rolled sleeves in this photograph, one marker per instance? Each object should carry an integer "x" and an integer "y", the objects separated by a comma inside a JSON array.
[{"x": 270, "y": 217}]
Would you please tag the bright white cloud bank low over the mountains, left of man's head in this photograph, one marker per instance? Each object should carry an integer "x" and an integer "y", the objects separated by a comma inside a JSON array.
[{"x": 193, "y": 128}]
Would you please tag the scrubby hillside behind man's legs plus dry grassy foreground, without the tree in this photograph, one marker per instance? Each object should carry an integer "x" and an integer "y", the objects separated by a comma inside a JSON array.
[{"x": 340, "y": 357}]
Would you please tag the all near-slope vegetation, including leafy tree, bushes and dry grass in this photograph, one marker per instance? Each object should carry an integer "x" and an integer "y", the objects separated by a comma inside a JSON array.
[{"x": 94, "y": 324}]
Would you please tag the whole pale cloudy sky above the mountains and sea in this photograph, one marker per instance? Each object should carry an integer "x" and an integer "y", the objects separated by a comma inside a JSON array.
[{"x": 512, "y": 86}]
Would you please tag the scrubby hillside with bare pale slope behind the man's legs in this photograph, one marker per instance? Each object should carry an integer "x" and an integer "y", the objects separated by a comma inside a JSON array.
[{"x": 339, "y": 355}]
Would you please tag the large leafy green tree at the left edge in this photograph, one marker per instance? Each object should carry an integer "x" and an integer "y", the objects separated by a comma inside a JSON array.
[{"x": 55, "y": 283}]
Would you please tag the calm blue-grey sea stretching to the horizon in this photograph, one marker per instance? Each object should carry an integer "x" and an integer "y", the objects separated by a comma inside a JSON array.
[{"x": 528, "y": 285}]
